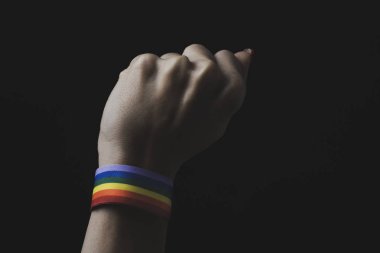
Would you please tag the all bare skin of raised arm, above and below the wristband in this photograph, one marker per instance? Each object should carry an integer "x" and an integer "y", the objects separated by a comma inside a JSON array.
[{"x": 162, "y": 111}]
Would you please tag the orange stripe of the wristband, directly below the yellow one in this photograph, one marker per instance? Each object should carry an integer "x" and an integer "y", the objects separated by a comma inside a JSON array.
[{"x": 132, "y": 195}]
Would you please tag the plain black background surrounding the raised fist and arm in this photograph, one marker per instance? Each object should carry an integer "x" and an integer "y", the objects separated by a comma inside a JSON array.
[{"x": 295, "y": 170}]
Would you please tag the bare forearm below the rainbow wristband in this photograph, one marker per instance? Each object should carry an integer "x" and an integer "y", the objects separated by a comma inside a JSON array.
[{"x": 114, "y": 229}]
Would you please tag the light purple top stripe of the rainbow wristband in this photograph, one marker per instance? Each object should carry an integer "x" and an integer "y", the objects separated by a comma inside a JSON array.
[{"x": 136, "y": 170}]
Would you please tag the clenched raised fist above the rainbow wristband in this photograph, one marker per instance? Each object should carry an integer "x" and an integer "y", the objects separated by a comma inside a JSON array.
[{"x": 164, "y": 110}]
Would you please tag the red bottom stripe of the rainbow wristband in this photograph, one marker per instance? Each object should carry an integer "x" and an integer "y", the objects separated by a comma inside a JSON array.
[{"x": 130, "y": 201}]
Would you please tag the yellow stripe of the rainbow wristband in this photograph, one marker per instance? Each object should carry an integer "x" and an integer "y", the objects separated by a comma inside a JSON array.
[{"x": 132, "y": 188}]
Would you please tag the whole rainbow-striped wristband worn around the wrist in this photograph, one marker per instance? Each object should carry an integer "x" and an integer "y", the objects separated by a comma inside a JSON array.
[{"x": 130, "y": 185}]
